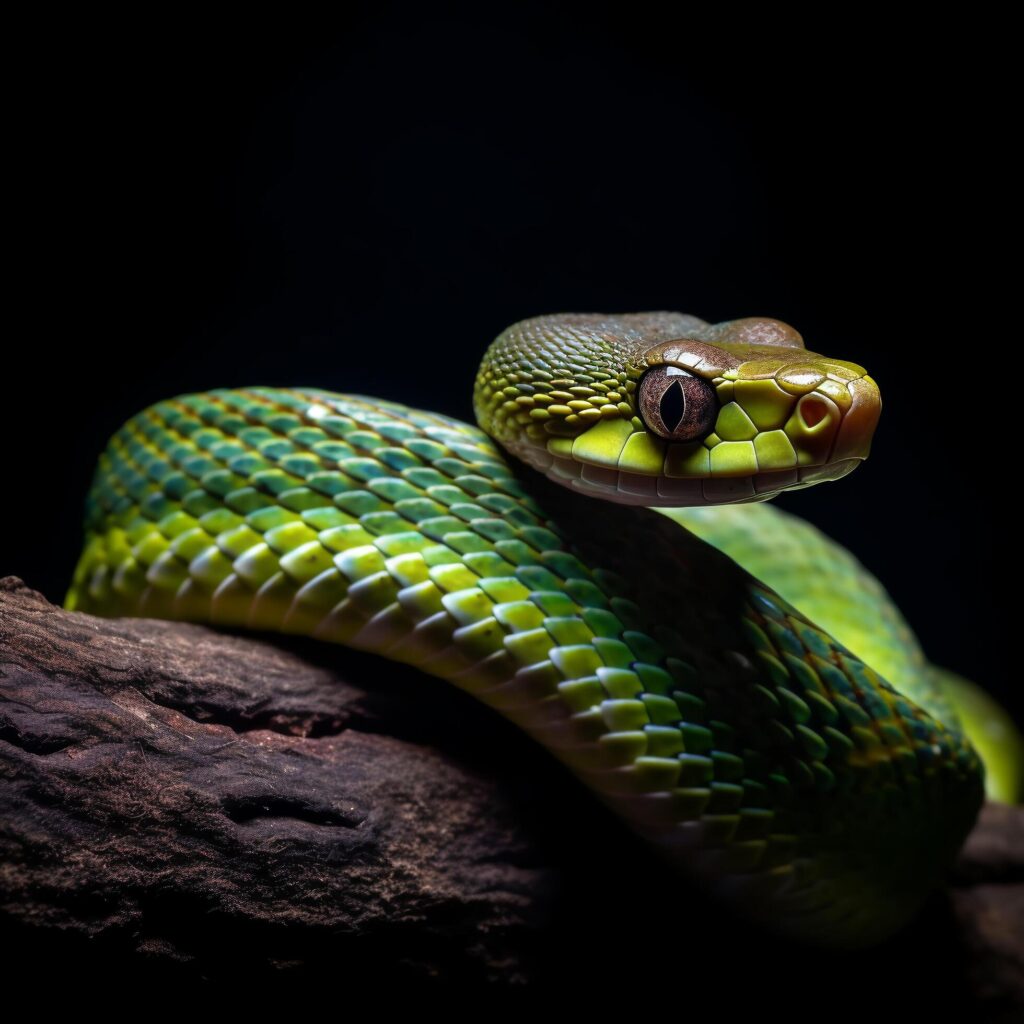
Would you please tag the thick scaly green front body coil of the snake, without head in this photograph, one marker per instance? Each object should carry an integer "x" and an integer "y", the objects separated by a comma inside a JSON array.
[{"x": 750, "y": 746}]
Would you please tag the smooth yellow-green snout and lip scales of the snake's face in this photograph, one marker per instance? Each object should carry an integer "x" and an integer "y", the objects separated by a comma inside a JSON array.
[{"x": 766, "y": 441}]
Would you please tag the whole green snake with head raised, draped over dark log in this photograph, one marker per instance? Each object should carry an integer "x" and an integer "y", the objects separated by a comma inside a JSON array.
[{"x": 745, "y": 742}]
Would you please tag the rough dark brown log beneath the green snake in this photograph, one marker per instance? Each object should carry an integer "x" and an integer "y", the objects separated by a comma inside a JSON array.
[{"x": 187, "y": 808}]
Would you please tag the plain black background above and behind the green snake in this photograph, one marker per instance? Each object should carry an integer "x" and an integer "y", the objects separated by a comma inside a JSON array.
[{"x": 363, "y": 204}]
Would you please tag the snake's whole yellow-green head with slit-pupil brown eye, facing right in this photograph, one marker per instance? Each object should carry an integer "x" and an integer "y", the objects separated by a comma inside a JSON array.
[{"x": 663, "y": 409}]
